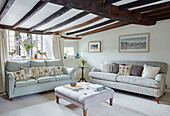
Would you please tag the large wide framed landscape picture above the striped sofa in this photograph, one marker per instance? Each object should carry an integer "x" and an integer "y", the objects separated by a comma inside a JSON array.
[{"x": 136, "y": 43}]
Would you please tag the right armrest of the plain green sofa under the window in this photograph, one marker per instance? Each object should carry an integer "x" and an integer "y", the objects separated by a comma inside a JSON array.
[{"x": 70, "y": 71}]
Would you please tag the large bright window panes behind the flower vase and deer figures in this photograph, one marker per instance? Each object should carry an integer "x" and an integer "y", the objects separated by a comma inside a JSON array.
[{"x": 12, "y": 39}]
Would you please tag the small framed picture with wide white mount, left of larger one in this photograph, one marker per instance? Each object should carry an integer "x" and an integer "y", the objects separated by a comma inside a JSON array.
[{"x": 94, "y": 46}]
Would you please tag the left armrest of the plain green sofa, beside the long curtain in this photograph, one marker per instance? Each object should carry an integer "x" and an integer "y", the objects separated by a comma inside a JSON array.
[{"x": 9, "y": 83}]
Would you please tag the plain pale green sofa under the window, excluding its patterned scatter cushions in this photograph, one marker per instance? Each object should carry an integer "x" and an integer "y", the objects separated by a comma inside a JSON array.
[{"x": 30, "y": 86}]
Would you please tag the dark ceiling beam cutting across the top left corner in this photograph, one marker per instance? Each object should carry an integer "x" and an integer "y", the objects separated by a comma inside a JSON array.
[{"x": 5, "y": 8}]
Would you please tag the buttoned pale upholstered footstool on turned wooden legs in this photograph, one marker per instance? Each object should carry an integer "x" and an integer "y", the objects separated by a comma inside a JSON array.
[{"x": 85, "y": 97}]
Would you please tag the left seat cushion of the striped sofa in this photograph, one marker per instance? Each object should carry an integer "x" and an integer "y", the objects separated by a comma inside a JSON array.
[{"x": 104, "y": 76}]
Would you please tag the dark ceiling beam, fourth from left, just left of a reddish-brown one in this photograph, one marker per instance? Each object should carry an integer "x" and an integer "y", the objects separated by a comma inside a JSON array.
[{"x": 80, "y": 15}]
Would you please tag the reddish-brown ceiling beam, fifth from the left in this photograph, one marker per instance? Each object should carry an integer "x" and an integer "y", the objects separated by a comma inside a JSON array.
[{"x": 81, "y": 25}]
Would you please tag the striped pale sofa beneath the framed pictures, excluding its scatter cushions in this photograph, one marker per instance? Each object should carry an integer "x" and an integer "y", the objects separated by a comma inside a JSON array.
[{"x": 146, "y": 86}]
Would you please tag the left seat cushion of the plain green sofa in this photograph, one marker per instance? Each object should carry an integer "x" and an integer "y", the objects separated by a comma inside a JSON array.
[{"x": 29, "y": 81}]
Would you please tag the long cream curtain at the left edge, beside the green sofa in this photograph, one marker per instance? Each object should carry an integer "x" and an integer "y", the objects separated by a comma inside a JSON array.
[{"x": 3, "y": 57}]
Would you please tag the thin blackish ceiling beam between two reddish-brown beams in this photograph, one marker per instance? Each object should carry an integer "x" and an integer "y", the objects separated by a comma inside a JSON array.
[{"x": 91, "y": 27}]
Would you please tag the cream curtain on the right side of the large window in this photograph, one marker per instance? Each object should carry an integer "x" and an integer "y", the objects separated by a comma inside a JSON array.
[{"x": 58, "y": 47}]
